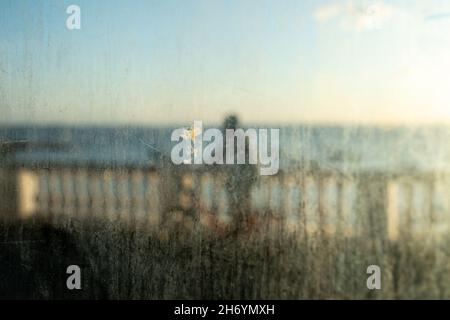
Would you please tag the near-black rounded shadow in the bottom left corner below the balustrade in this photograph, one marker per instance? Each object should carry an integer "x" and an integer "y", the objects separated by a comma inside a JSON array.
[{"x": 34, "y": 258}]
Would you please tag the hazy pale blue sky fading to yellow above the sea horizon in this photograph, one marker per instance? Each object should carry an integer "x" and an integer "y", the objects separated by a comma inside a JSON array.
[{"x": 159, "y": 62}]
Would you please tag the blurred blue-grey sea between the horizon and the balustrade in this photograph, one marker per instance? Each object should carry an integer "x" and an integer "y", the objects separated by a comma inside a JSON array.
[{"x": 343, "y": 148}]
